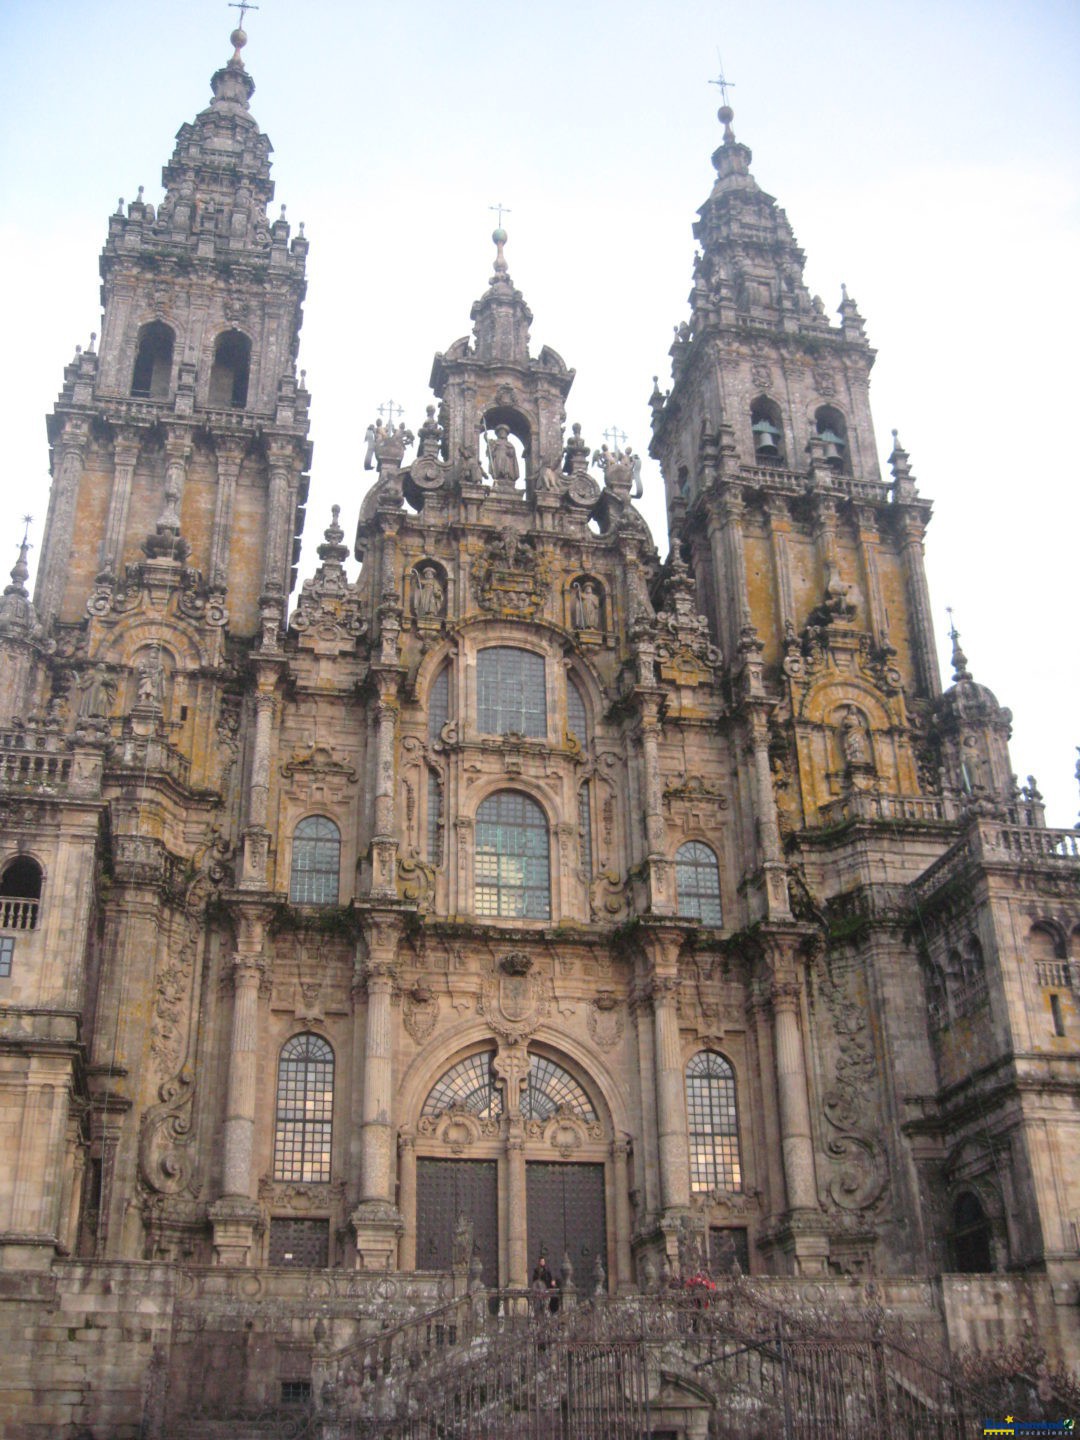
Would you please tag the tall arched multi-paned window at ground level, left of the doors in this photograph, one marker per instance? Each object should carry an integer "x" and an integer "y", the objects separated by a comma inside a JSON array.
[{"x": 306, "y": 1111}]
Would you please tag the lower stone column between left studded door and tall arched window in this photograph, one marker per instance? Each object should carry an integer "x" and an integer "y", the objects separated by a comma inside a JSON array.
[{"x": 377, "y": 1220}]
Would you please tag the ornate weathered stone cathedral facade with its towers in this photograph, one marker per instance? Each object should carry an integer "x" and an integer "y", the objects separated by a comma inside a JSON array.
[{"x": 526, "y": 895}]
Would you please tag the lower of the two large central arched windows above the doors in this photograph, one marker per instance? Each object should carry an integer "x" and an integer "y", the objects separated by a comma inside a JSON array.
[{"x": 512, "y": 862}]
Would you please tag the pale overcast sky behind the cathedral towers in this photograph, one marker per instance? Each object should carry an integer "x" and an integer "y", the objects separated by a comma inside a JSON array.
[{"x": 927, "y": 155}]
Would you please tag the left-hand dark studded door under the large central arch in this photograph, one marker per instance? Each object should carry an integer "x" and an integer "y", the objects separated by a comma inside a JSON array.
[{"x": 447, "y": 1190}]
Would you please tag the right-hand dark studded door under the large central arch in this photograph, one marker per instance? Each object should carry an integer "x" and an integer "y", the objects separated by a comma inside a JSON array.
[{"x": 567, "y": 1215}]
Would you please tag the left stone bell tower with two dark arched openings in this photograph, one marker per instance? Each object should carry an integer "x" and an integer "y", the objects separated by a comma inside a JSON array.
[{"x": 181, "y": 446}]
